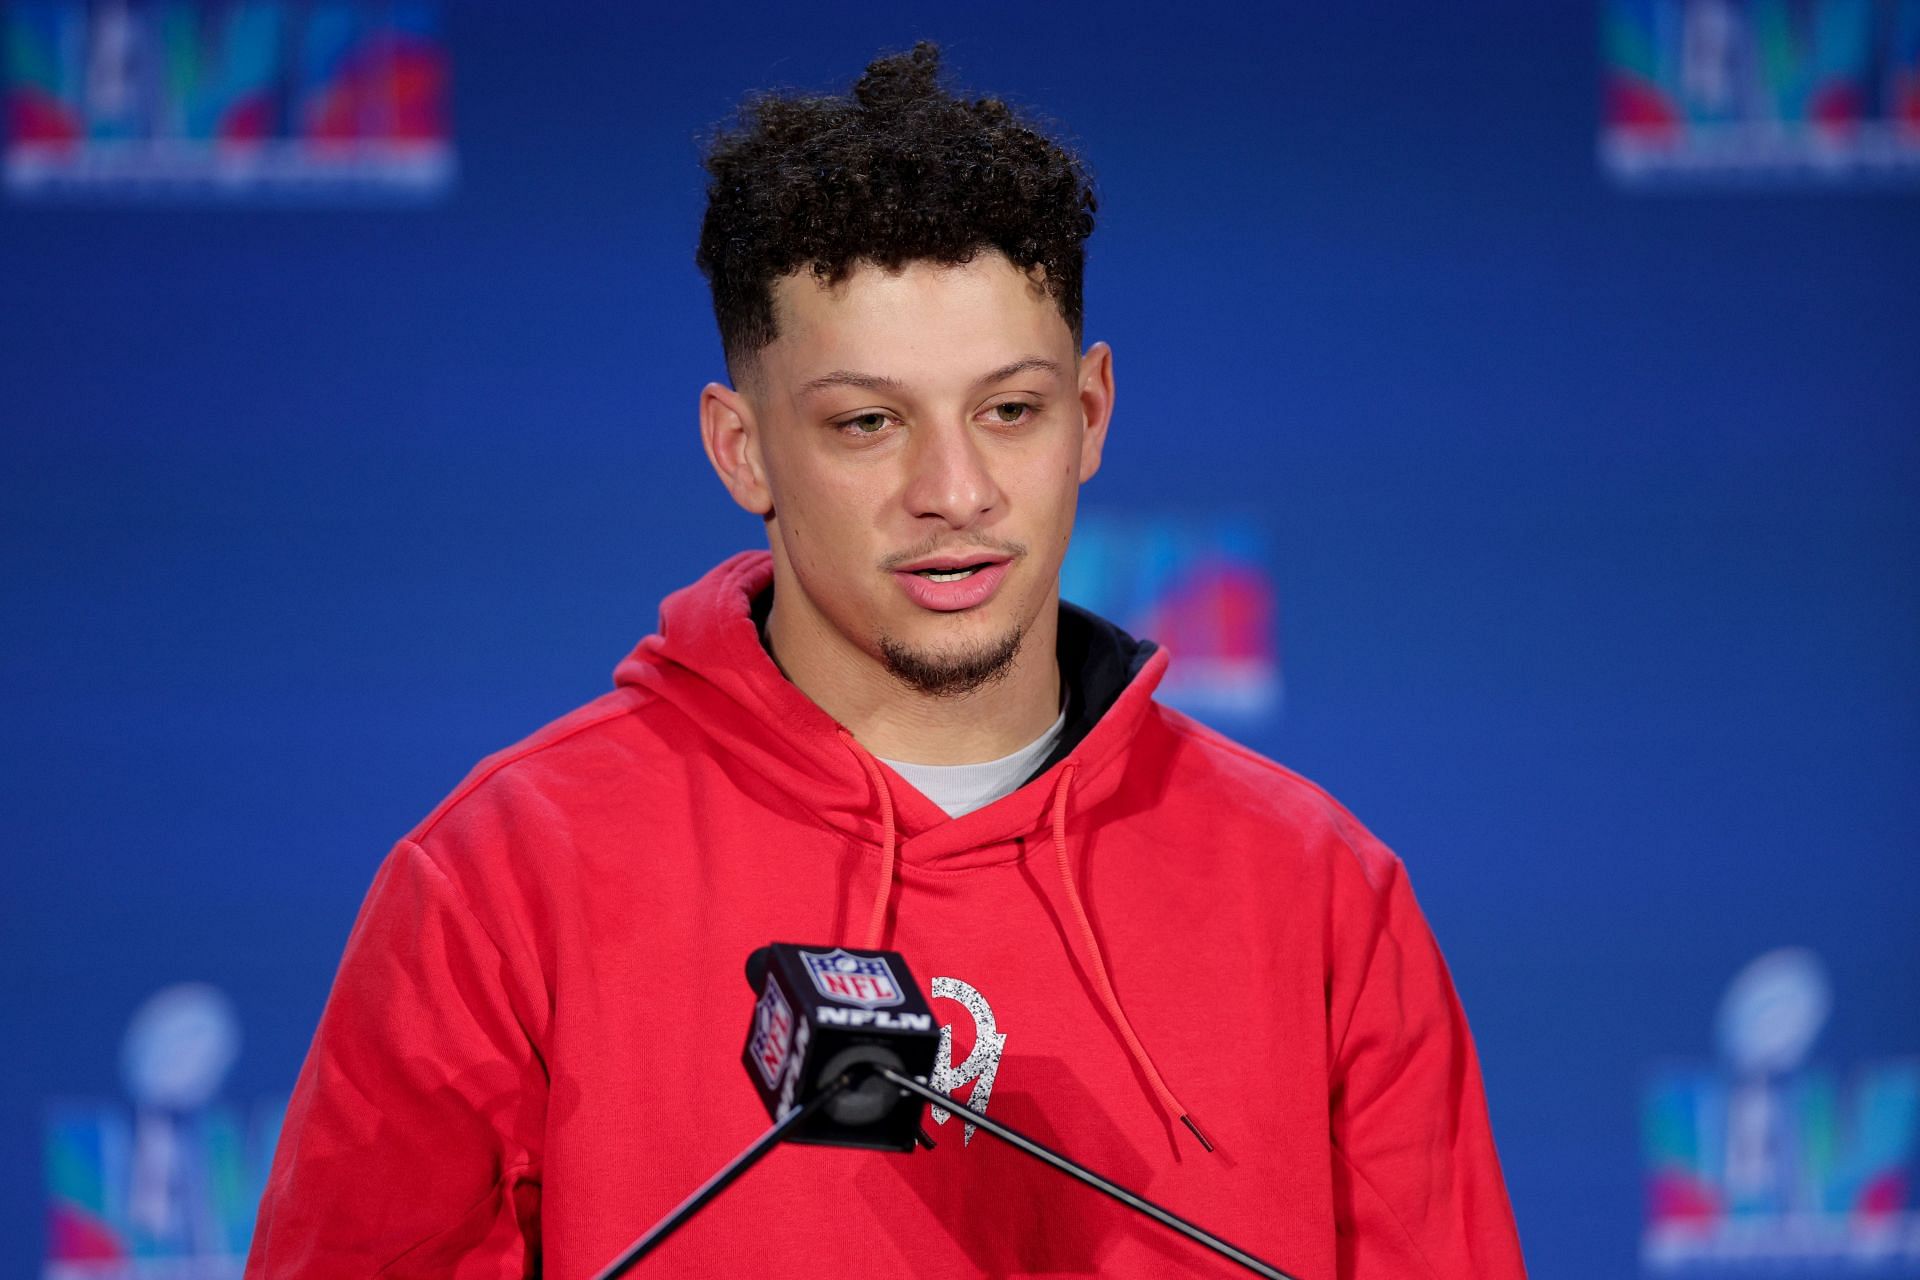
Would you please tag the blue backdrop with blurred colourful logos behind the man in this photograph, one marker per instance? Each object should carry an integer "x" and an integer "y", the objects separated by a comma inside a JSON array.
[{"x": 1520, "y": 435}]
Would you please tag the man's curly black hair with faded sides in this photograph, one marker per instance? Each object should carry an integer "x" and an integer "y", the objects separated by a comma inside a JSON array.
[{"x": 898, "y": 172}]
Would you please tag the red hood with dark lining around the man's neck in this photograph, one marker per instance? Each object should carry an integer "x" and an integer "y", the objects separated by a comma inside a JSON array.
[{"x": 708, "y": 661}]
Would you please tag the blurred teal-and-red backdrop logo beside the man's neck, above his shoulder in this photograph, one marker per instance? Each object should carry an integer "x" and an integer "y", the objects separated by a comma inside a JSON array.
[{"x": 1199, "y": 586}]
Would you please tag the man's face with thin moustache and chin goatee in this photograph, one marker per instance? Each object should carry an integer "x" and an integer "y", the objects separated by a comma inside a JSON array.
[{"x": 923, "y": 439}]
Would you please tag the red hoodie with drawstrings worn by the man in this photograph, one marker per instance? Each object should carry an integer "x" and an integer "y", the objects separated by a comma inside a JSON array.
[{"x": 533, "y": 1047}]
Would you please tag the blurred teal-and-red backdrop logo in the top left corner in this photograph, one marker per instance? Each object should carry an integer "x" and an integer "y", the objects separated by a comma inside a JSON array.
[{"x": 252, "y": 99}]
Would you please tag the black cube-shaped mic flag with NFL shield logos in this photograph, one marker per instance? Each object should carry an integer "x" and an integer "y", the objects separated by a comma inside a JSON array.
[{"x": 825, "y": 1010}]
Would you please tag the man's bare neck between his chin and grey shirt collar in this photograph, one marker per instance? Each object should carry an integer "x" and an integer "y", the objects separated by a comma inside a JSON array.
[{"x": 900, "y": 723}]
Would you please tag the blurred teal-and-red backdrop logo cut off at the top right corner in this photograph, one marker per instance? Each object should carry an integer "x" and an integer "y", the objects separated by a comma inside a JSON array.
[{"x": 1740, "y": 91}]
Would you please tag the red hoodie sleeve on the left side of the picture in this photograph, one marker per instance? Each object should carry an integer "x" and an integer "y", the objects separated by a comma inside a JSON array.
[{"x": 412, "y": 1145}]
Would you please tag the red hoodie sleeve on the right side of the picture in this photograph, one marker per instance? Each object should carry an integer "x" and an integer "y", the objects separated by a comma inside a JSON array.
[{"x": 1418, "y": 1189}]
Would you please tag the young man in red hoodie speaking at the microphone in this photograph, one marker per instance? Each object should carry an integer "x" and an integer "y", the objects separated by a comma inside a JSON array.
[{"x": 1157, "y": 951}]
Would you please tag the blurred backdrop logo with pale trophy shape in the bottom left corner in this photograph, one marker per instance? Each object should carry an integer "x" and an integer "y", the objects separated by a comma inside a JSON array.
[{"x": 168, "y": 1185}]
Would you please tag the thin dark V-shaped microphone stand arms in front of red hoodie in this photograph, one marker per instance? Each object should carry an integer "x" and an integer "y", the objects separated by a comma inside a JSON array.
[{"x": 921, "y": 1089}]
